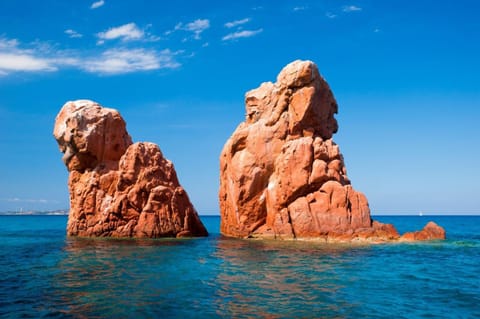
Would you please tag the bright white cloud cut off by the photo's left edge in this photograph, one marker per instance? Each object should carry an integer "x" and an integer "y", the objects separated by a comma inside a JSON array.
[{"x": 15, "y": 59}]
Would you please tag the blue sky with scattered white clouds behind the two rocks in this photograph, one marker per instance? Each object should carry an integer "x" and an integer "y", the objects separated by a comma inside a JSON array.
[{"x": 405, "y": 75}]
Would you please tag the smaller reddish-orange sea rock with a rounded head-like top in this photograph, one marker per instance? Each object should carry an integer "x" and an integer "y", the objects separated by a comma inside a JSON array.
[{"x": 117, "y": 188}]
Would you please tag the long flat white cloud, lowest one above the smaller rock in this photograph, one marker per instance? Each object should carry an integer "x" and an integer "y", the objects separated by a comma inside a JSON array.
[{"x": 118, "y": 61}]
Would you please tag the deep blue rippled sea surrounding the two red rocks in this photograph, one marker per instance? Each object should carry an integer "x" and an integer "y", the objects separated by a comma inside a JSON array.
[{"x": 45, "y": 274}]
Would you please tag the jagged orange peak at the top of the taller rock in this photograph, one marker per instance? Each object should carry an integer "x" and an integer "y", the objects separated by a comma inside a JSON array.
[{"x": 302, "y": 95}]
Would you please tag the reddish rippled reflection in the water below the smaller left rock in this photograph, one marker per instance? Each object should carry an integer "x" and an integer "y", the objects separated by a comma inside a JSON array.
[{"x": 105, "y": 278}]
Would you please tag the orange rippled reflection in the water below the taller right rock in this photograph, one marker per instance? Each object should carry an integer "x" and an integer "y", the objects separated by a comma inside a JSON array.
[{"x": 270, "y": 279}]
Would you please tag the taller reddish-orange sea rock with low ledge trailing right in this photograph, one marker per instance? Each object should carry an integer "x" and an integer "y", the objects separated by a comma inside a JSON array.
[{"x": 281, "y": 174}]
